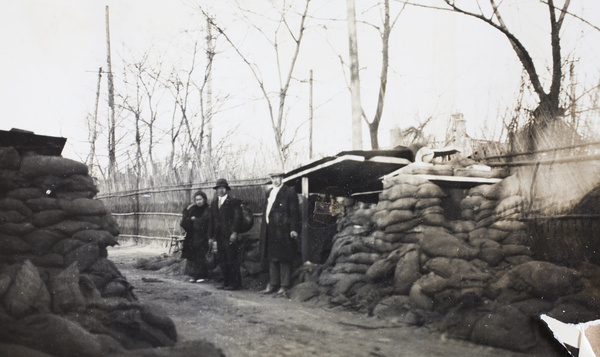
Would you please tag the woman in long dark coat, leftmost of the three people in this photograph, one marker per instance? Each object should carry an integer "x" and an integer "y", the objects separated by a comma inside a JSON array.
[{"x": 195, "y": 245}]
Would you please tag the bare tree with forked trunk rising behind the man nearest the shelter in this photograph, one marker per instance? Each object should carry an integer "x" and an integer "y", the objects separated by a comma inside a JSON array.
[{"x": 276, "y": 111}]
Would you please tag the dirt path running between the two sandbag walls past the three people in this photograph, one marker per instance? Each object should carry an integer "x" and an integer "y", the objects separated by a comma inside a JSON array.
[{"x": 248, "y": 324}]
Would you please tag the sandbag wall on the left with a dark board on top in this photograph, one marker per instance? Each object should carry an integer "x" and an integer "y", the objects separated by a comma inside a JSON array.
[{"x": 60, "y": 295}]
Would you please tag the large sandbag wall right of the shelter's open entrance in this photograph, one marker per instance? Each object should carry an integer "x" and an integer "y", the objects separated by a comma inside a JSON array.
[{"x": 474, "y": 278}]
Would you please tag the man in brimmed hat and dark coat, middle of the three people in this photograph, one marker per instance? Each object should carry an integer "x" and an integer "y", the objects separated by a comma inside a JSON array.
[{"x": 225, "y": 221}]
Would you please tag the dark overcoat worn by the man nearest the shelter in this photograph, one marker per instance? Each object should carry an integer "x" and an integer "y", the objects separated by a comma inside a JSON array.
[{"x": 284, "y": 217}]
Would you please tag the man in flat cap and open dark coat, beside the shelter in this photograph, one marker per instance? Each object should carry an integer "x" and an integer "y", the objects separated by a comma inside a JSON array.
[{"x": 279, "y": 243}]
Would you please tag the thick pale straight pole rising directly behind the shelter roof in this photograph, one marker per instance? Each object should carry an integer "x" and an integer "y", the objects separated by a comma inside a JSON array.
[{"x": 354, "y": 77}]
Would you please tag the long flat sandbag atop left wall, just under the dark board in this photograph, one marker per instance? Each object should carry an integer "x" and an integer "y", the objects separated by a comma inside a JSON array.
[{"x": 37, "y": 165}]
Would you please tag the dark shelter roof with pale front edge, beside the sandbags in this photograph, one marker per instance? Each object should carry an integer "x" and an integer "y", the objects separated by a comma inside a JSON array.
[{"x": 350, "y": 172}]
